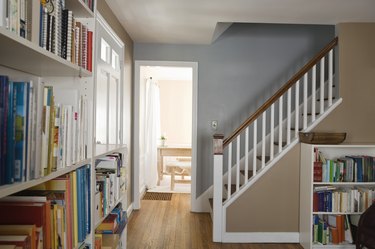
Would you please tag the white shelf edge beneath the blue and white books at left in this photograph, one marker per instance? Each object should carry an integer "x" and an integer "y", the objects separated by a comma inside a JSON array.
[{"x": 6, "y": 190}]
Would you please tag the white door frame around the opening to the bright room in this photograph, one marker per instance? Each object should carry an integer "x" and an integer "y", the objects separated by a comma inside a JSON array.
[{"x": 137, "y": 66}]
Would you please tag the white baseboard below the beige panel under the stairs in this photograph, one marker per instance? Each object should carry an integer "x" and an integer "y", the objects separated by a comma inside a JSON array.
[{"x": 269, "y": 237}]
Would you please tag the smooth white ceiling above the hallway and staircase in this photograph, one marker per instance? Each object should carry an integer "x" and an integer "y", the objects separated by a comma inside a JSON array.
[{"x": 195, "y": 21}]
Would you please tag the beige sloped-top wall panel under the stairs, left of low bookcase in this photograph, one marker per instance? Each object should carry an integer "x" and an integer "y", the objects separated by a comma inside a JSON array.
[{"x": 271, "y": 205}]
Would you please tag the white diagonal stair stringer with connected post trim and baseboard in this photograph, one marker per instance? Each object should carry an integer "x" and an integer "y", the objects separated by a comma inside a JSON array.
[{"x": 251, "y": 237}]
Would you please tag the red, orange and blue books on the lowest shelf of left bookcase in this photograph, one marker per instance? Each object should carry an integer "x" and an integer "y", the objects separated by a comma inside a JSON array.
[{"x": 55, "y": 214}]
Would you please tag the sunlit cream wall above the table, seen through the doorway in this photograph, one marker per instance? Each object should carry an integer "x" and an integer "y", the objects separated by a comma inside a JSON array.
[{"x": 176, "y": 98}]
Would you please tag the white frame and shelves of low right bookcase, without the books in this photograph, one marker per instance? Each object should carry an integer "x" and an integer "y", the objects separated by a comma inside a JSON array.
[{"x": 307, "y": 186}]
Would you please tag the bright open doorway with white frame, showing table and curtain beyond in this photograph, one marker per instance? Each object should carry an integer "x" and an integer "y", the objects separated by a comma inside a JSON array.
[{"x": 176, "y": 84}]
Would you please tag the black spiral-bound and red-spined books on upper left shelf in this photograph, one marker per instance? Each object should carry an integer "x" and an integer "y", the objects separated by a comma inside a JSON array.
[{"x": 62, "y": 34}]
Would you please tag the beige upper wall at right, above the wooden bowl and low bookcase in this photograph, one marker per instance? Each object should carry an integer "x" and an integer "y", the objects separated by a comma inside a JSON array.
[{"x": 356, "y": 115}]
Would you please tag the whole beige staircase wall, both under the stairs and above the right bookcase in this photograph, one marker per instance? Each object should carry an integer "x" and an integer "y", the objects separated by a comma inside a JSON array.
[{"x": 273, "y": 203}]
